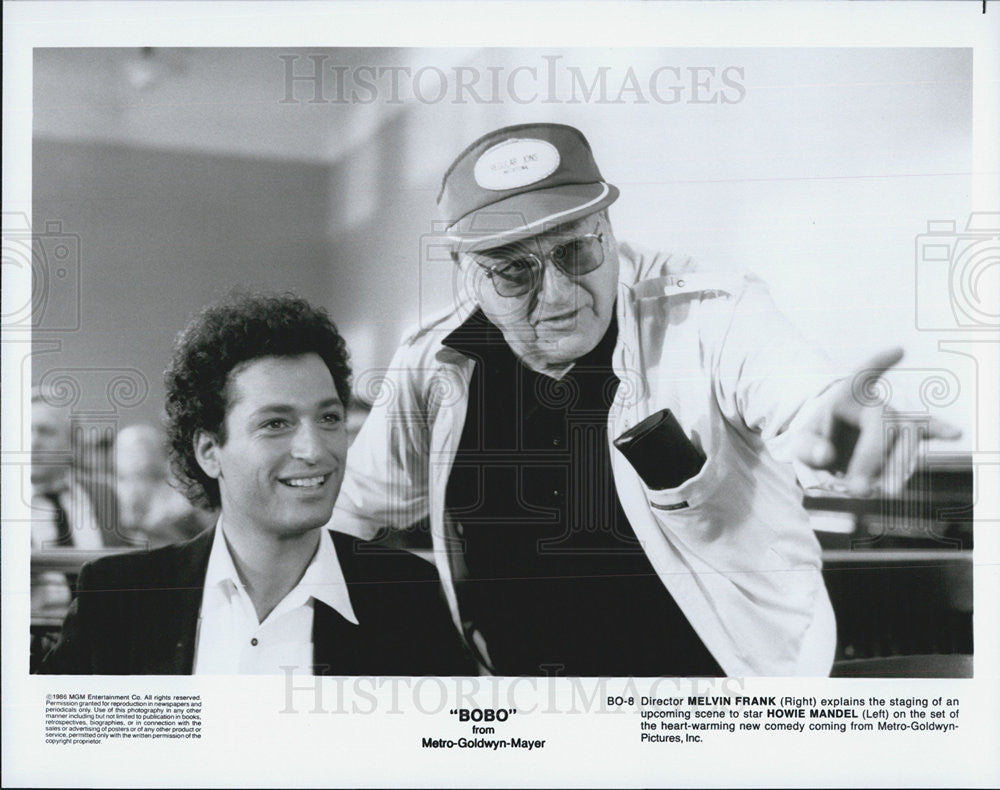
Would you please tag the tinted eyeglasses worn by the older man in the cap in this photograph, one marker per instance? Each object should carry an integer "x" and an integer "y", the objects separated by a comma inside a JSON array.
[{"x": 517, "y": 272}]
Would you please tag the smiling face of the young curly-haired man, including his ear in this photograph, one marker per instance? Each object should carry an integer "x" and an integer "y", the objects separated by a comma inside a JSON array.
[{"x": 282, "y": 461}]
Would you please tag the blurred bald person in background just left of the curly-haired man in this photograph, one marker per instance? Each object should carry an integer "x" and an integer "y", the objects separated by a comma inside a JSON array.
[{"x": 152, "y": 512}]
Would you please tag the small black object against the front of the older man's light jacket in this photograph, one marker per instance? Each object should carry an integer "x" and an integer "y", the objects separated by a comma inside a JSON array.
[{"x": 660, "y": 451}]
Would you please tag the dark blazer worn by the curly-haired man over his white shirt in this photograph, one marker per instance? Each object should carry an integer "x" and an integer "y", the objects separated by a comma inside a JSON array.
[{"x": 137, "y": 614}]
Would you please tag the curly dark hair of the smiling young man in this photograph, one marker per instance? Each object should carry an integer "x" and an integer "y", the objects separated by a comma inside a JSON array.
[{"x": 221, "y": 337}]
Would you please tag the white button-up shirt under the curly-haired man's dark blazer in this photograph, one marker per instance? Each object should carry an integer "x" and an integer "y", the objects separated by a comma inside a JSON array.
[{"x": 230, "y": 639}]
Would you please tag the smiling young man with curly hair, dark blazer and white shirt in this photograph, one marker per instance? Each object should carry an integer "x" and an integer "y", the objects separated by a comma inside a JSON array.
[{"x": 257, "y": 393}]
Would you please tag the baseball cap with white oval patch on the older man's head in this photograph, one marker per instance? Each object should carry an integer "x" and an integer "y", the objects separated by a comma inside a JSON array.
[{"x": 520, "y": 181}]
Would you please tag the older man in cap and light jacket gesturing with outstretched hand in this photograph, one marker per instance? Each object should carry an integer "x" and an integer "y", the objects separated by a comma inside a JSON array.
[{"x": 605, "y": 440}]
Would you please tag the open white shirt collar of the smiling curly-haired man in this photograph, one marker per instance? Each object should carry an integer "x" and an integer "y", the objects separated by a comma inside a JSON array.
[{"x": 323, "y": 578}]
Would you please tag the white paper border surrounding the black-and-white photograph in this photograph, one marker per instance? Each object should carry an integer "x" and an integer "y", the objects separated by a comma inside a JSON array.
[{"x": 251, "y": 745}]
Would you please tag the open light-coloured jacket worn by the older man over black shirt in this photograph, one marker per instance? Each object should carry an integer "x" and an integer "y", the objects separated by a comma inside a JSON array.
[{"x": 733, "y": 544}]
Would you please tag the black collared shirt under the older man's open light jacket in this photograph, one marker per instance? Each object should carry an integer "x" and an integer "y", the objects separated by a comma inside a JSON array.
[{"x": 558, "y": 583}]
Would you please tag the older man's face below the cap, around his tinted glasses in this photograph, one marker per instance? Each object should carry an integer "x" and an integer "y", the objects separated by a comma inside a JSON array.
[{"x": 562, "y": 317}]
